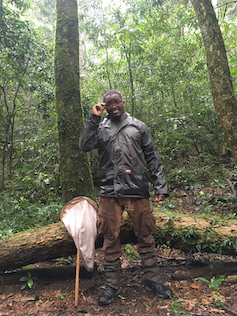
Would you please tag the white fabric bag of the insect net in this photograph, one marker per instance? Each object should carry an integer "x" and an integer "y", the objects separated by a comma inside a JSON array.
[{"x": 80, "y": 221}]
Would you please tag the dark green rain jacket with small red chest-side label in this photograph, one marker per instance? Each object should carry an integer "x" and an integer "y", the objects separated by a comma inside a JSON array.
[{"x": 126, "y": 152}]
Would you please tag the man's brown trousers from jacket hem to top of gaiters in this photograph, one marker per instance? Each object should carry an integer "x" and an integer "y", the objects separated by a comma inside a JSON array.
[{"x": 110, "y": 213}]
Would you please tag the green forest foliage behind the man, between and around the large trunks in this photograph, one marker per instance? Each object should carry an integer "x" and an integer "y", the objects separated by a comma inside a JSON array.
[{"x": 151, "y": 51}]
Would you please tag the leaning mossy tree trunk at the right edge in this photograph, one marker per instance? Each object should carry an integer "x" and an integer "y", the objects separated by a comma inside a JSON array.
[{"x": 224, "y": 99}]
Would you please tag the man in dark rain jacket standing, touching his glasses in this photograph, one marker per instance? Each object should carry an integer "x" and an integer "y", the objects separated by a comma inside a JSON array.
[{"x": 126, "y": 151}]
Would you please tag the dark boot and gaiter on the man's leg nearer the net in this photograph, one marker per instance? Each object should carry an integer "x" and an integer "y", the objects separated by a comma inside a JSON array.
[{"x": 112, "y": 282}]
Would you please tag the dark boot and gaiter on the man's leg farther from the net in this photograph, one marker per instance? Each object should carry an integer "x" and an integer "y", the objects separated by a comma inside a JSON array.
[{"x": 151, "y": 276}]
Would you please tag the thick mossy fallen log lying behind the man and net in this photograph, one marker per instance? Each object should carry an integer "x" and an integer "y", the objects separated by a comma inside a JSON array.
[{"x": 53, "y": 241}]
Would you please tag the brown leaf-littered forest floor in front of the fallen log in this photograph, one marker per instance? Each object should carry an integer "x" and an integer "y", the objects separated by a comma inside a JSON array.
[{"x": 55, "y": 296}]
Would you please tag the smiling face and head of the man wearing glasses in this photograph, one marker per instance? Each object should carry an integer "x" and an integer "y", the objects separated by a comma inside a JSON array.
[{"x": 114, "y": 106}]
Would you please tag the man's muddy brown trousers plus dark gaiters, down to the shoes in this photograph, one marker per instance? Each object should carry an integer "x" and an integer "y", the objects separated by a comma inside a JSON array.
[{"x": 140, "y": 212}]
